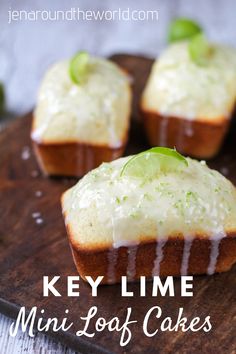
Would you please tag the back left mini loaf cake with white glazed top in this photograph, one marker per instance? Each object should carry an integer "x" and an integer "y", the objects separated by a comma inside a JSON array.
[{"x": 78, "y": 125}]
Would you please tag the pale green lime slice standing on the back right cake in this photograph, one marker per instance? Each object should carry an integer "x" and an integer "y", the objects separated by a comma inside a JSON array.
[{"x": 199, "y": 49}]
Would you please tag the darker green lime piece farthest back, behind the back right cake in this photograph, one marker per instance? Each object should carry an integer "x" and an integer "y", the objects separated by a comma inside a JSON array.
[{"x": 183, "y": 28}]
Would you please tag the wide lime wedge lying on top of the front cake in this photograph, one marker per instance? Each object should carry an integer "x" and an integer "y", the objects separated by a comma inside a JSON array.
[{"x": 150, "y": 163}]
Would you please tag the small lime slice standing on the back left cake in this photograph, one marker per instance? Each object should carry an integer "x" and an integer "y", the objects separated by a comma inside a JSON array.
[{"x": 78, "y": 68}]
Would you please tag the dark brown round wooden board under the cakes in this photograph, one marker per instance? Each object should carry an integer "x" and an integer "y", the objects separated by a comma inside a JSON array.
[{"x": 32, "y": 247}]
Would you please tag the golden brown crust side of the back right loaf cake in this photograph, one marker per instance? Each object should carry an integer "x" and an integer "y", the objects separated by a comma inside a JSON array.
[{"x": 195, "y": 138}]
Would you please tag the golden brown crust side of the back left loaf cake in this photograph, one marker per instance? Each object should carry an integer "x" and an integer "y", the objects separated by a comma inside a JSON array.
[{"x": 72, "y": 158}]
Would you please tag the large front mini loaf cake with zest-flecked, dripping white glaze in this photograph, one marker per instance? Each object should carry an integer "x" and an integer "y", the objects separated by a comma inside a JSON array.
[{"x": 149, "y": 220}]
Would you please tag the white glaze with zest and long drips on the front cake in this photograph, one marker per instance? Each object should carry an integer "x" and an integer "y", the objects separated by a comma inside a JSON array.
[{"x": 125, "y": 206}]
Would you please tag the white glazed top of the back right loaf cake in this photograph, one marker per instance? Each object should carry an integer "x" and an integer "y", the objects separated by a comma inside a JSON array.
[{"x": 177, "y": 87}]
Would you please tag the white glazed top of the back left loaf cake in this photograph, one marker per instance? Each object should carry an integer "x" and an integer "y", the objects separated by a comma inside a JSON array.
[{"x": 95, "y": 111}]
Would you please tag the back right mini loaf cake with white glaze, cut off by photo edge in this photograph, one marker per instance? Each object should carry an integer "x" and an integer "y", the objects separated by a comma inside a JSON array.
[{"x": 187, "y": 105}]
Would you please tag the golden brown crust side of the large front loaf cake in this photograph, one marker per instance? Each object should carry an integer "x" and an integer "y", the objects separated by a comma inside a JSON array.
[{"x": 96, "y": 262}]
